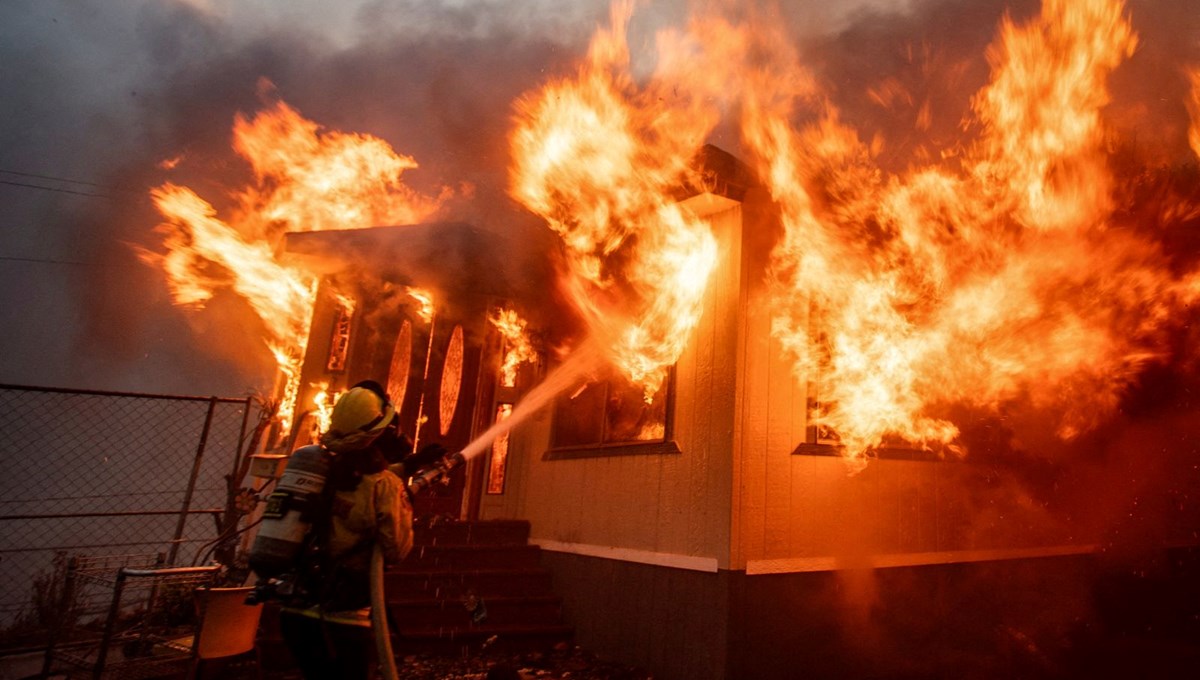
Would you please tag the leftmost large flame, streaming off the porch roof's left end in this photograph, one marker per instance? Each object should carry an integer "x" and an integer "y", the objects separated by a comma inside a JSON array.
[{"x": 305, "y": 179}]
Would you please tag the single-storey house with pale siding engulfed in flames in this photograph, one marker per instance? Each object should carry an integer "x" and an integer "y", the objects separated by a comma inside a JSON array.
[{"x": 782, "y": 411}]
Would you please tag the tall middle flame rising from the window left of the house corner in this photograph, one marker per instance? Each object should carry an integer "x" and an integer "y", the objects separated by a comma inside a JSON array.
[{"x": 597, "y": 158}]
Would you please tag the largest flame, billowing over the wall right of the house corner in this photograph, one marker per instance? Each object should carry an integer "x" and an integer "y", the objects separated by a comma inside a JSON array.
[{"x": 989, "y": 278}]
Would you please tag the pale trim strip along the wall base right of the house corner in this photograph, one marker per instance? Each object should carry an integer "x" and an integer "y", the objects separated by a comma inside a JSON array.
[{"x": 830, "y": 563}]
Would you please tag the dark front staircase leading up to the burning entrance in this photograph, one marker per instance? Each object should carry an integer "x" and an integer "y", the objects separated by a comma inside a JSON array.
[{"x": 473, "y": 586}]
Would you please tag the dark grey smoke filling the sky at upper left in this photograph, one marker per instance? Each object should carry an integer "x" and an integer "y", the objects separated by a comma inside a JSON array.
[{"x": 106, "y": 94}]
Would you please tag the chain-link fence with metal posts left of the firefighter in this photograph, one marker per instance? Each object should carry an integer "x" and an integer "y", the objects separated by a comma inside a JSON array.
[{"x": 87, "y": 473}]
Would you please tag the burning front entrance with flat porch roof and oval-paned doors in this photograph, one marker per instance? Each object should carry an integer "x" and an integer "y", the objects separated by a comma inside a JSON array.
[{"x": 413, "y": 308}]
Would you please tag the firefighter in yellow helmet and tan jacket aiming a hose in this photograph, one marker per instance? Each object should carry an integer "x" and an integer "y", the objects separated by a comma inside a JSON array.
[{"x": 328, "y": 625}]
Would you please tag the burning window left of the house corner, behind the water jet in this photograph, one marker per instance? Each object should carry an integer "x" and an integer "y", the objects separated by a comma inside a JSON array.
[{"x": 611, "y": 411}]
